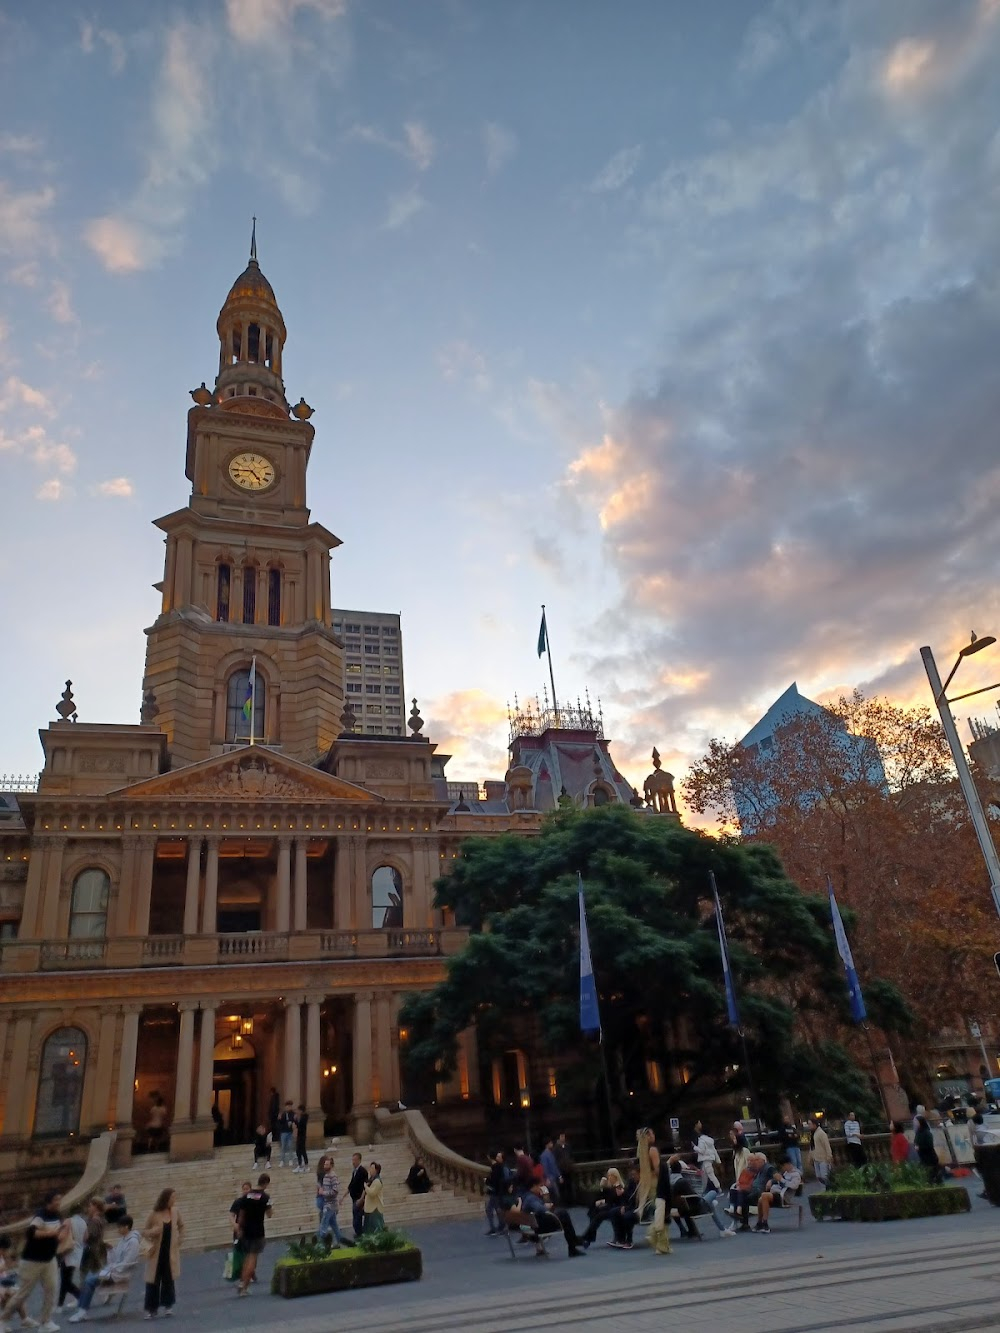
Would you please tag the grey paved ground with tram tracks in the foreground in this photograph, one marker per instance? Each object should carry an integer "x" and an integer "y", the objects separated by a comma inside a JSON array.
[{"x": 926, "y": 1275}]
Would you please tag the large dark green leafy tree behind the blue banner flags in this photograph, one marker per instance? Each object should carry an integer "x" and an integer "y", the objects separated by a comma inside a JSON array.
[{"x": 657, "y": 963}]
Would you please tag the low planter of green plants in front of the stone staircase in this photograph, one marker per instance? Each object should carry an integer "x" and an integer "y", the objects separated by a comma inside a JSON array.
[{"x": 311, "y": 1267}]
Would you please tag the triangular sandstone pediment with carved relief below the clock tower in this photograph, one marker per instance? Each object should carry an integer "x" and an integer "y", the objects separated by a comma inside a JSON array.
[{"x": 254, "y": 774}]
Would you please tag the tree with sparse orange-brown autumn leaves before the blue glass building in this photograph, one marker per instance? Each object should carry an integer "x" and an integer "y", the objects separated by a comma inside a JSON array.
[{"x": 901, "y": 852}]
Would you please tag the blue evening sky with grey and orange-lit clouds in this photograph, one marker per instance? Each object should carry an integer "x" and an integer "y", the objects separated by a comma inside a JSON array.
[{"x": 682, "y": 319}]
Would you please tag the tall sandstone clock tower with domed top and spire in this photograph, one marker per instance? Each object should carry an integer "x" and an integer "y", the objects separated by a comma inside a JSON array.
[{"x": 243, "y": 649}]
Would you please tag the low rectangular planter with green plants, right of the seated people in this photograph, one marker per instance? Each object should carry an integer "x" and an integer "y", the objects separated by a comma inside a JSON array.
[{"x": 883, "y": 1194}]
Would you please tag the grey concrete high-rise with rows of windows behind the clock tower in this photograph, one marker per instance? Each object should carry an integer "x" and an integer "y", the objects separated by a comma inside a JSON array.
[{"x": 373, "y": 670}]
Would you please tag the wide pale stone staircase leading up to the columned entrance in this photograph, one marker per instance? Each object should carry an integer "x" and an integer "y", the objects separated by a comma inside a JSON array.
[{"x": 206, "y": 1191}]
